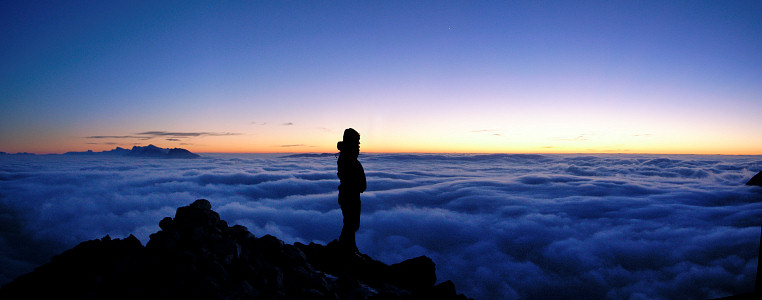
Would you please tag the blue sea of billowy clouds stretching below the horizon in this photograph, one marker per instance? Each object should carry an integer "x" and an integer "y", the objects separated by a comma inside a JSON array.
[{"x": 500, "y": 226}]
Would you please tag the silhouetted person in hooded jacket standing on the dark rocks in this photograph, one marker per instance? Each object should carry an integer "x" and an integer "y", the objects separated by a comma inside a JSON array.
[{"x": 352, "y": 177}]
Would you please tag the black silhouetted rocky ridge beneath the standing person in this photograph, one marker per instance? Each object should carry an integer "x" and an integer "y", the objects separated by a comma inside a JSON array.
[{"x": 198, "y": 256}]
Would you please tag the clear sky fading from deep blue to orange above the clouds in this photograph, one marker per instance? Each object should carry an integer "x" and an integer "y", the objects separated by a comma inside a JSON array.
[{"x": 440, "y": 76}]
